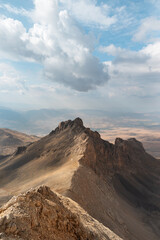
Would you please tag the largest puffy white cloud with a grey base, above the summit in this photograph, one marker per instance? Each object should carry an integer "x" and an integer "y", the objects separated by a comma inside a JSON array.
[{"x": 56, "y": 42}]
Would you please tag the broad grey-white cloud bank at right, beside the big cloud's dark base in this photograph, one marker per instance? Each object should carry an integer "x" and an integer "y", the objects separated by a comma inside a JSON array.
[{"x": 134, "y": 73}]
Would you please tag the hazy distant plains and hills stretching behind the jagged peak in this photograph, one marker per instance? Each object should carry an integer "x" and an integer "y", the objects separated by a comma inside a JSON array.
[{"x": 144, "y": 126}]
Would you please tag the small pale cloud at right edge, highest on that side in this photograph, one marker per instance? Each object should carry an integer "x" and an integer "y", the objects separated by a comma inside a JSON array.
[{"x": 148, "y": 30}]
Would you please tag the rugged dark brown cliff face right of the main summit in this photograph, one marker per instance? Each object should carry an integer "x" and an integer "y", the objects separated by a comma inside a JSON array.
[{"x": 124, "y": 156}]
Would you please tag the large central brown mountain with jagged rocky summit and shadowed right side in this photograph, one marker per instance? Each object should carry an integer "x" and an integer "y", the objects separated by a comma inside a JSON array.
[{"x": 117, "y": 184}]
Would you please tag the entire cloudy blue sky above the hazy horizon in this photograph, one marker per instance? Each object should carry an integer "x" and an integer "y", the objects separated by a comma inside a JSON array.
[{"x": 80, "y": 54}]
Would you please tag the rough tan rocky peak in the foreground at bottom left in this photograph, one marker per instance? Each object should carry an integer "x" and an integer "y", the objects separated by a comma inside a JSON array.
[{"x": 43, "y": 214}]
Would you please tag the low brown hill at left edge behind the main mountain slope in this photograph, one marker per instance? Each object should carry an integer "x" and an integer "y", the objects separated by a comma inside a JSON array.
[{"x": 10, "y": 140}]
